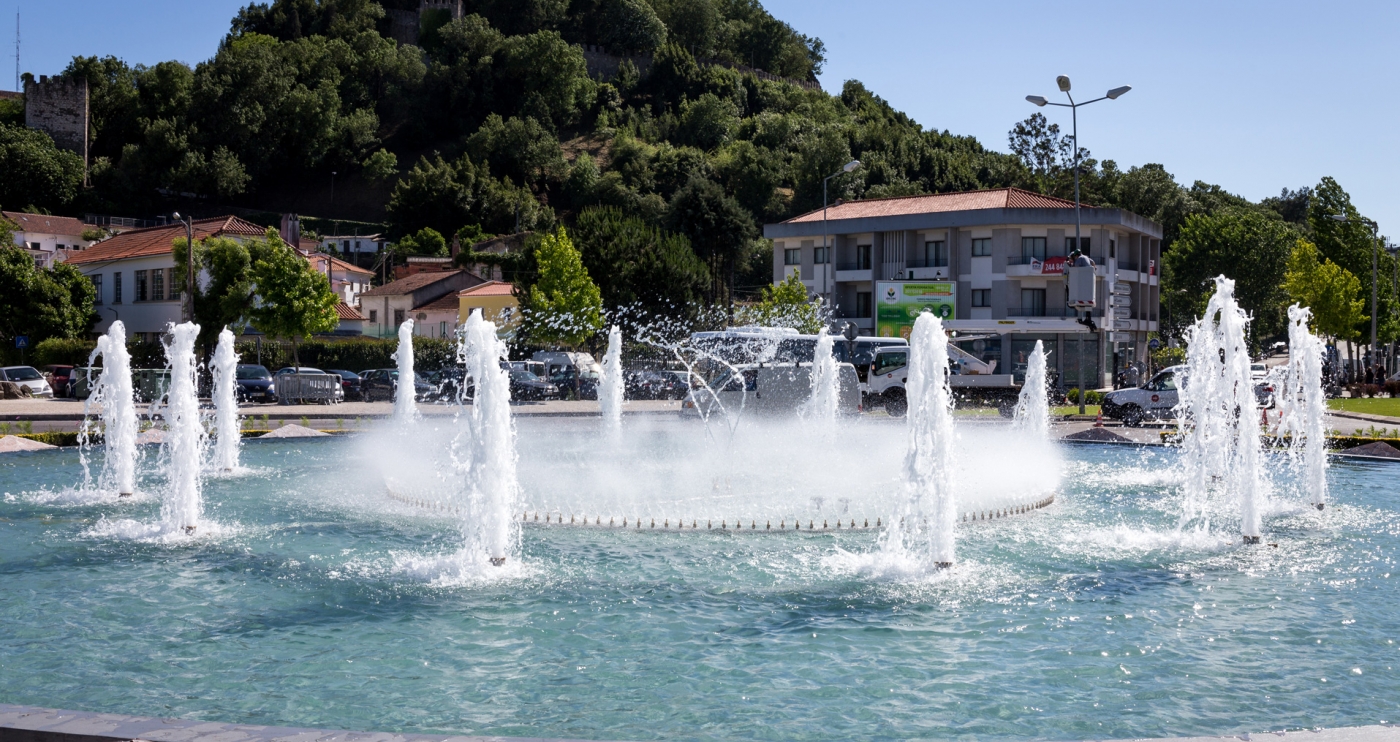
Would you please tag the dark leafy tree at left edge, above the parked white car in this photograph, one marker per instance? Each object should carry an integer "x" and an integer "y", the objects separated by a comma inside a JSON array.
[{"x": 41, "y": 303}]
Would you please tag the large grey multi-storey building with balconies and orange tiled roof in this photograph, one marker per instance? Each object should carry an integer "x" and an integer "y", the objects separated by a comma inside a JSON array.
[{"x": 1000, "y": 257}]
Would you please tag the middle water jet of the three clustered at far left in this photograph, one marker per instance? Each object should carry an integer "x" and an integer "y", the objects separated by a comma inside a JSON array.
[{"x": 184, "y": 436}]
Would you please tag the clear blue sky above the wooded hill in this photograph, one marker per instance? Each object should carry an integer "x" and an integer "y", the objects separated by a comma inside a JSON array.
[{"x": 1249, "y": 96}]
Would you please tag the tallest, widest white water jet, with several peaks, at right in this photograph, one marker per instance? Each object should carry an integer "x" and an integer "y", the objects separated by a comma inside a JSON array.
[{"x": 1219, "y": 418}]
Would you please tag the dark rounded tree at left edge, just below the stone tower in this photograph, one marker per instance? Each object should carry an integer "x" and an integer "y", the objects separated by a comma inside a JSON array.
[{"x": 34, "y": 171}]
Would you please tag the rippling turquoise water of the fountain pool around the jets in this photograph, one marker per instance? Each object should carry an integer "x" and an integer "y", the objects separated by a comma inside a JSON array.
[{"x": 1088, "y": 619}]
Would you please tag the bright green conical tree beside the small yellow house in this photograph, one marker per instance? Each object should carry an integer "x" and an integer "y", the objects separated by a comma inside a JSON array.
[{"x": 565, "y": 306}]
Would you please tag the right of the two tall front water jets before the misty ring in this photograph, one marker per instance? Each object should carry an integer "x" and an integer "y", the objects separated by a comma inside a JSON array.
[{"x": 925, "y": 530}]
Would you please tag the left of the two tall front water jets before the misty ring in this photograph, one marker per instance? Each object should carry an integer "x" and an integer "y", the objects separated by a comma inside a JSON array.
[{"x": 492, "y": 488}]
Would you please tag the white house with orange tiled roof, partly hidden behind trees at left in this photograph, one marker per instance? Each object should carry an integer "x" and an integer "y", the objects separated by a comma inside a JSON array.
[{"x": 135, "y": 274}]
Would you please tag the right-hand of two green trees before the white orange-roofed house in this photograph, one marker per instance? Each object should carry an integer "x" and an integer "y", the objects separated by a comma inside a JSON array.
[{"x": 293, "y": 300}]
